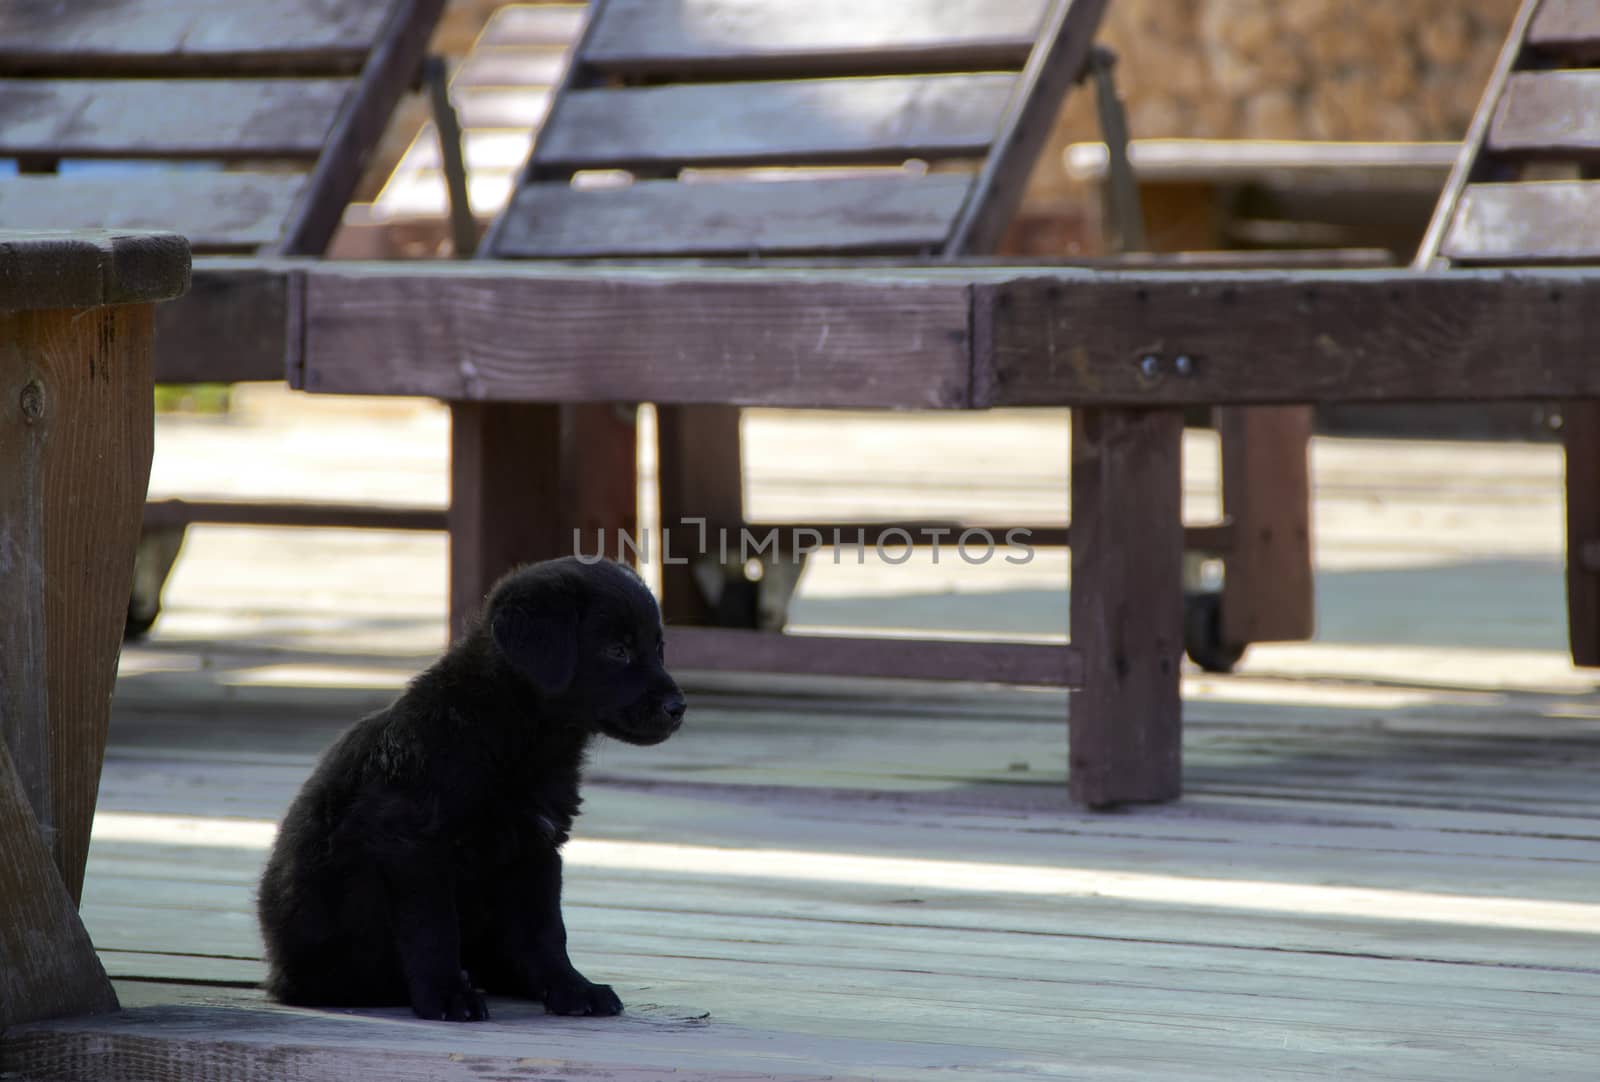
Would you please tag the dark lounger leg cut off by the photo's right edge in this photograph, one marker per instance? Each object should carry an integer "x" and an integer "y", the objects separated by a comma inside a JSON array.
[{"x": 1583, "y": 531}]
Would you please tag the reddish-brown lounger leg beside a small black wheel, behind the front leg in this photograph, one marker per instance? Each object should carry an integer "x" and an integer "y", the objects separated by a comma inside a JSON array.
[{"x": 1266, "y": 492}]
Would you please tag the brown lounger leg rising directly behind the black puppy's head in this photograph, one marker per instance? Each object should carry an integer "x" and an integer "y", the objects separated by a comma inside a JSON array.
[{"x": 505, "y": 499}]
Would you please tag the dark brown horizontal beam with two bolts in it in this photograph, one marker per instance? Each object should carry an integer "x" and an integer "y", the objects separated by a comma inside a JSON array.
[{"x": 1282, "y": 339}]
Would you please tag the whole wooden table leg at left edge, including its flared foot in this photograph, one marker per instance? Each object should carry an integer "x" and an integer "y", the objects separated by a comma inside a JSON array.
[{"x": 76, "y": 441}]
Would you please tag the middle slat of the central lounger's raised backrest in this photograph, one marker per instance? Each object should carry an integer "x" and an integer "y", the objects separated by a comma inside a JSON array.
[{"x": 826, "y": 121}]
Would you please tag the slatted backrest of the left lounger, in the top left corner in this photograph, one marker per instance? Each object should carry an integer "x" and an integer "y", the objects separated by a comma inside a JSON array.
[{"x": 271, "y": 105}]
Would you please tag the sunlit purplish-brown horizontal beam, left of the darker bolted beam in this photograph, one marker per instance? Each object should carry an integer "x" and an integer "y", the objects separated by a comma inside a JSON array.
[{"x": 529, "y": 334}]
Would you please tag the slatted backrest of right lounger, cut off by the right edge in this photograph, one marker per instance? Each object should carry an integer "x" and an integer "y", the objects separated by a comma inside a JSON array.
[{"x": 1526, "y": 190}]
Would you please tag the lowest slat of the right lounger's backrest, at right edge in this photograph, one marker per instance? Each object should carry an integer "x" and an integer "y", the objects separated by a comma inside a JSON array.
[{"x": 1550, "y": 222}]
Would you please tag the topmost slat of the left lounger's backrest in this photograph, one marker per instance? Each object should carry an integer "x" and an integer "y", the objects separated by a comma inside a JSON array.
[{"x": 190, "y": 38}]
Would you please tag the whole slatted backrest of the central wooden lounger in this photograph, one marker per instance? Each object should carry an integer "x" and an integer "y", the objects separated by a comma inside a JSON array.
[{"x": 778, "y": 129}]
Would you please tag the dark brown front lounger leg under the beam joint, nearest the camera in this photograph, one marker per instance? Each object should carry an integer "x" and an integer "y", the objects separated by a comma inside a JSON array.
[{"x": 1127, "y": 606}]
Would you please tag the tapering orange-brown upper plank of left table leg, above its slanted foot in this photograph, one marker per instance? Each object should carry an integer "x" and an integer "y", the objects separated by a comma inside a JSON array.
[{"x": 79, "y": 396}]
